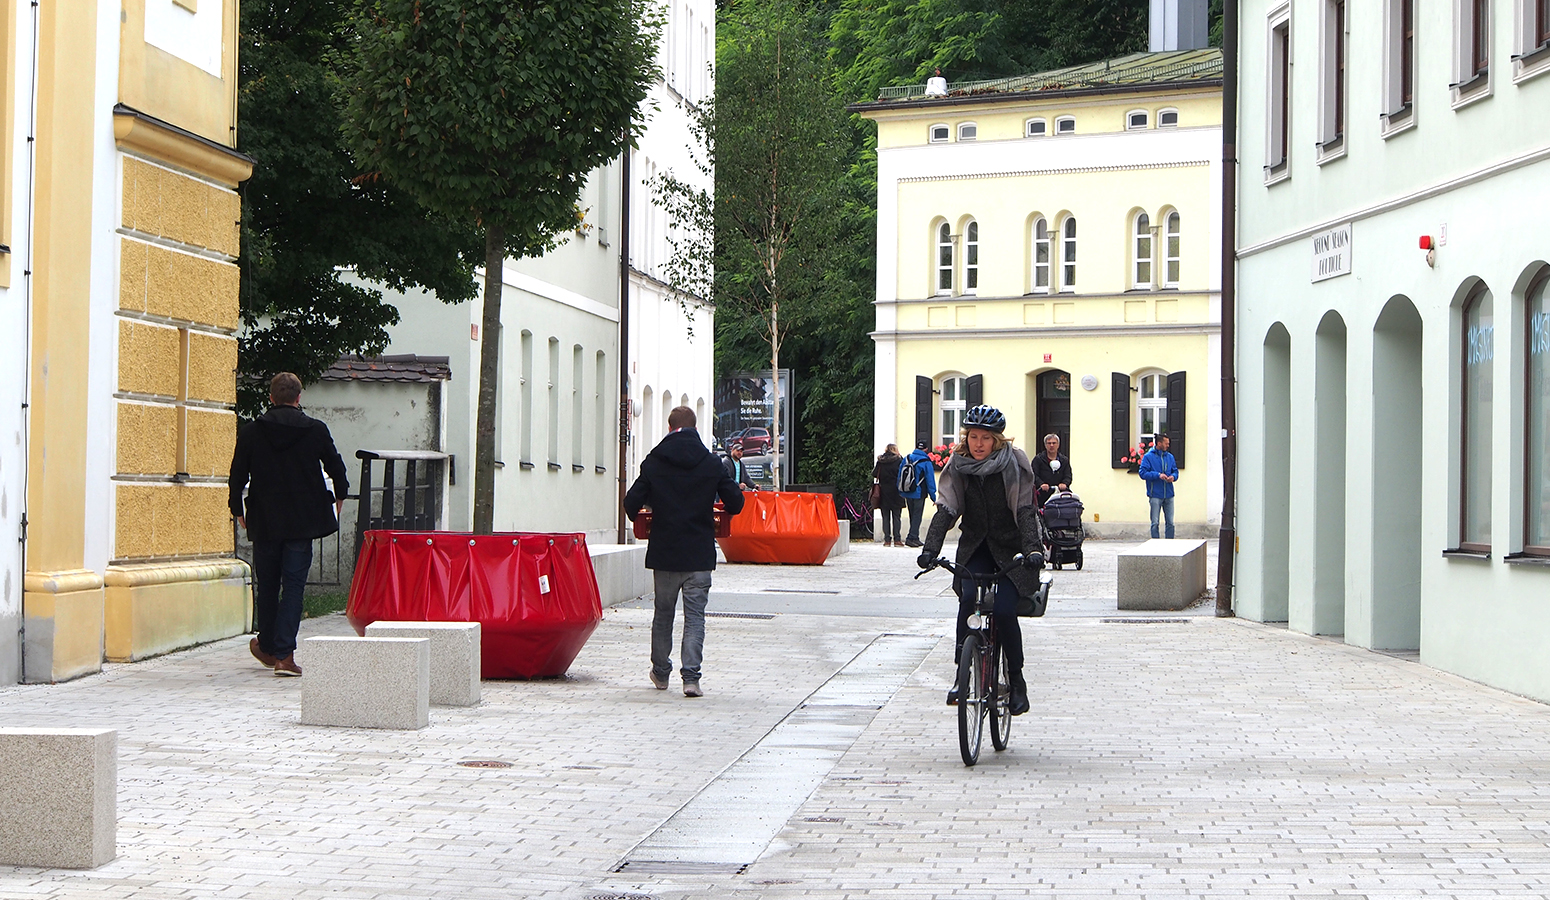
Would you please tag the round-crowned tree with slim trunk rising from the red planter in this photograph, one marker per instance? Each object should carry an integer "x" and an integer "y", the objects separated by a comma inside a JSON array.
[{"x": 494, "y": 112}]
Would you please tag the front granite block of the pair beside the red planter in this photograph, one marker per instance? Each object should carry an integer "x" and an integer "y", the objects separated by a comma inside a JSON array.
[{"x": 367, "y": 682}]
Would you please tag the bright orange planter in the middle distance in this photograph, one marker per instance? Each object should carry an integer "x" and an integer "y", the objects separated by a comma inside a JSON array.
[{"x": 784, "y": 527}]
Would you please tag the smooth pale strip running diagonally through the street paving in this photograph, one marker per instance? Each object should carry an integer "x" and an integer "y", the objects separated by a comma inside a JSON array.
[{"x": 735, "y": 817}]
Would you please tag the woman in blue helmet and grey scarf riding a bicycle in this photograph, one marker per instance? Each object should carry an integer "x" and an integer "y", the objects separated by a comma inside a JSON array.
[{"x": 988, "y": 486}]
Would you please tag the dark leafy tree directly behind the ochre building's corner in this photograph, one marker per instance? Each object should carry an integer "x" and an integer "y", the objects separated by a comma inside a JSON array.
[{"x": 308, "y": 215}]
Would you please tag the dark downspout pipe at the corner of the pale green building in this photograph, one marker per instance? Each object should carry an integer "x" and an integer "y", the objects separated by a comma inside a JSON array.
[{"x": 1227, "y": 548}]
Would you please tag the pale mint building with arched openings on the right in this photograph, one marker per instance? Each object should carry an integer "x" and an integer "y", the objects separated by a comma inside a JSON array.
[{"x": 1394, "y": 332}]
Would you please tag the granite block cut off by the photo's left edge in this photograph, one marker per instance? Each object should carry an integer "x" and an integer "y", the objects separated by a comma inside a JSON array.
[{"x": 58, "y": 797}]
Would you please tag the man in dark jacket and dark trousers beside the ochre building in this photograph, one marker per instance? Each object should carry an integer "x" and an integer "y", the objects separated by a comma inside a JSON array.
[{"x": 288, "y": 509}]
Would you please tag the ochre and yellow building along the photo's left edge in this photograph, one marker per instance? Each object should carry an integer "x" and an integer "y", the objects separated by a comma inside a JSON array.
[{"x": 119, "y": 298}]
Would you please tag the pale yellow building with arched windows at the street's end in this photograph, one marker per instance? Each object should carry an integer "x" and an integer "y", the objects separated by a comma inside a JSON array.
[{"x": 1050, "y": 246}]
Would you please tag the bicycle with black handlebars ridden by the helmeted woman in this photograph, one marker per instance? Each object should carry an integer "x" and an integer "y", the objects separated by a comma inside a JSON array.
[{"x": 983, "y": 687}]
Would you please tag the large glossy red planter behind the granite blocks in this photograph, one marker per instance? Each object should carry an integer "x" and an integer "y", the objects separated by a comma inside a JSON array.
[{"x": 534, "y": 596}]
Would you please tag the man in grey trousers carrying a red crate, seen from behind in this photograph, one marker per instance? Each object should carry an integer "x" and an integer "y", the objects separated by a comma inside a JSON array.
[{"x": 681, "y": 481}]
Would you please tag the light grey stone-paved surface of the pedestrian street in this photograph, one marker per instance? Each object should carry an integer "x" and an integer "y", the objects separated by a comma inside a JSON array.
[{"x": 1197, "y": 758}]
